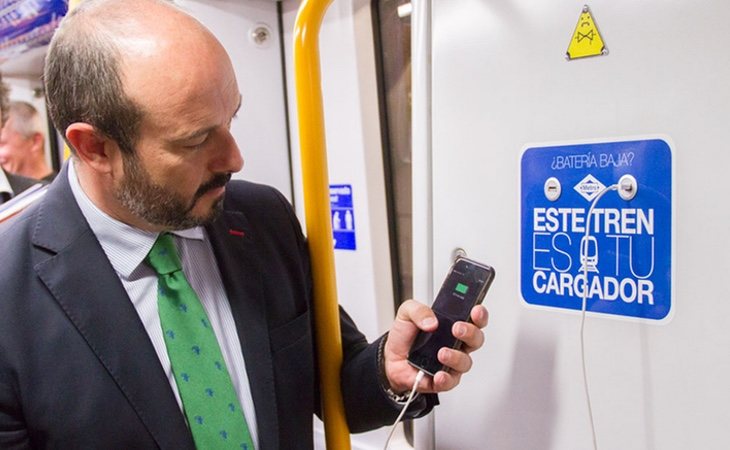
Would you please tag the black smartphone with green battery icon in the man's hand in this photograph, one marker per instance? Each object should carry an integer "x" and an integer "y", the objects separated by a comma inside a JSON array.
[{"x": 465, "y": 286}]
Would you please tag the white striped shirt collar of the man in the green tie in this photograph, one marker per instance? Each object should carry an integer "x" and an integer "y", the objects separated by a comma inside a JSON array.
[{"x": 125, "y": 246}]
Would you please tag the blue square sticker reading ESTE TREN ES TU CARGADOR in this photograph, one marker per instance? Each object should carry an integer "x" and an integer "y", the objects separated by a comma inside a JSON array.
[{"x": 627, "y": 255}]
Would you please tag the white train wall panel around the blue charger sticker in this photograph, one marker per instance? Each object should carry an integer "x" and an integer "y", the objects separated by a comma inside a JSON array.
[{"x": 501, "y": 80}]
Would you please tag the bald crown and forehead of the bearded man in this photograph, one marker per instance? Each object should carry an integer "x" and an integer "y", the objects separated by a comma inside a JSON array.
[{"x": 174, "y": 68}]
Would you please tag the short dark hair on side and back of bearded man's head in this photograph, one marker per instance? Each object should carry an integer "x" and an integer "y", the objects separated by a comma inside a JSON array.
[{"x": 83, "y": 76}]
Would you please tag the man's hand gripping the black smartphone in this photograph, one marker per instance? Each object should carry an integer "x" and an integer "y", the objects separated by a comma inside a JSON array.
[{"x": 413, "y": 316}]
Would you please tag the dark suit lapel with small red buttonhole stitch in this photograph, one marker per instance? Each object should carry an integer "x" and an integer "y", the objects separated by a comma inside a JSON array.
[{"x": 235, "y": 250}]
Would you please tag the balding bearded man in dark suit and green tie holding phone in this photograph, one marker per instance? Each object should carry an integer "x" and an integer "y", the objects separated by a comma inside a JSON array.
[{"x": 144, "y": 271}]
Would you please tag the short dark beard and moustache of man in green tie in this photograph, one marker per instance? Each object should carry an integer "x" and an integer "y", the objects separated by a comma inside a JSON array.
[{"x": 161, "y": 206}]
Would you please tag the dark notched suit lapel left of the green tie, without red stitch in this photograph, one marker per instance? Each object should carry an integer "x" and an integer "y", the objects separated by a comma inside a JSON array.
[{"x": 88, "y": 290}]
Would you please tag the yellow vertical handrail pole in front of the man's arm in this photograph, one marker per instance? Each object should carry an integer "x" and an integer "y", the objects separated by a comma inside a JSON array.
[{"x": 318, "y": 220}]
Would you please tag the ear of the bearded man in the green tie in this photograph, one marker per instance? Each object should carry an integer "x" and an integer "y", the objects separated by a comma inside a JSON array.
[{"x": 92, "y": 147}]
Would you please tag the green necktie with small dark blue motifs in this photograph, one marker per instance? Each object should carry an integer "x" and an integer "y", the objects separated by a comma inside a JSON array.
[{"x": 209, "y": 400}]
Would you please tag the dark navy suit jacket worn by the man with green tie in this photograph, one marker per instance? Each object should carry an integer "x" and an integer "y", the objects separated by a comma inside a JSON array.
[{"x": 77, "y": 369}]
